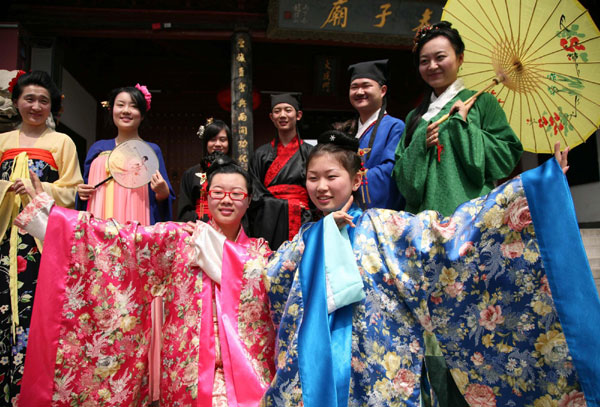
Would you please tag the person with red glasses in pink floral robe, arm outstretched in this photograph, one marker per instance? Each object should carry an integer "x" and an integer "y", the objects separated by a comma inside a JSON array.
[{"x": 91, "y": 326}]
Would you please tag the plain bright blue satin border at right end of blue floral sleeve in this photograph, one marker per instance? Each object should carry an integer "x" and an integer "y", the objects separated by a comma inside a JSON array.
[{"x": 568, "y": 271}]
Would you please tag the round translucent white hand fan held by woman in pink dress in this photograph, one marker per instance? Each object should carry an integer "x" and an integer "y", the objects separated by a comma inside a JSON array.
[{"x": 132, "y": 164}]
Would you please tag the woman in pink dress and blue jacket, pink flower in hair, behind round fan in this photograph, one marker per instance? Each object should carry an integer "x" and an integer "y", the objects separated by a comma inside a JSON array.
[{"x": 146, "y": 204}]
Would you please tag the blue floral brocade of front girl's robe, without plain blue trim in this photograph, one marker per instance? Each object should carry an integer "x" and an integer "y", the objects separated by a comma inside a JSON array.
[{"x": 476, "y": 280}]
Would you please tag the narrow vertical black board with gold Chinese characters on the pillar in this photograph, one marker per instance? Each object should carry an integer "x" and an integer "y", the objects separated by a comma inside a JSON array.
[{"x": 241, "y": 97}]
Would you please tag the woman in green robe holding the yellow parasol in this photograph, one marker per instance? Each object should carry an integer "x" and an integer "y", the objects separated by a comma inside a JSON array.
[{"x": 440, "y": 166}]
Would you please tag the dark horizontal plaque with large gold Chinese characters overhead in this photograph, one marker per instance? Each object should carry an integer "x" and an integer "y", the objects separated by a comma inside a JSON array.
[{"x": 372, "y": 21}]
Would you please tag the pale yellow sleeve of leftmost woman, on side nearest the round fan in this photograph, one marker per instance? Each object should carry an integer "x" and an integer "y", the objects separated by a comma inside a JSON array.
[{"x": 63, "y": 190}]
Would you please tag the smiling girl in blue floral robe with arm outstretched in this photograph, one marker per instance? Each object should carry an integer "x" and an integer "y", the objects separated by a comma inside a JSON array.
[{"x": 503, "y": 284}]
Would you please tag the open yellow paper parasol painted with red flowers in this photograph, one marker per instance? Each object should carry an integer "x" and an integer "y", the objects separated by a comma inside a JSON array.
[{"x": 547, "y": 52}]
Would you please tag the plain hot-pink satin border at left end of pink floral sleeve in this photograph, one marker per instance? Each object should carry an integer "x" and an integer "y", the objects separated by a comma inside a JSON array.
[{"x": 38, "y": 377}]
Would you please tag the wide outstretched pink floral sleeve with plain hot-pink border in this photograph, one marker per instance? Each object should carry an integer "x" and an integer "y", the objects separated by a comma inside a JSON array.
[{"x": 90, "y": 335}]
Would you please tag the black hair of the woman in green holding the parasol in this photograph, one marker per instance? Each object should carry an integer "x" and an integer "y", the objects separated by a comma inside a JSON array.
[{"x": 443, "y": 28}]
